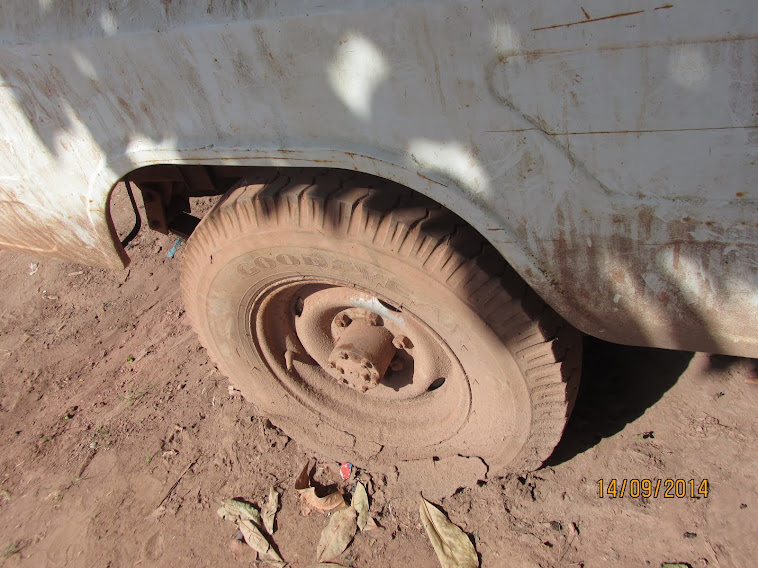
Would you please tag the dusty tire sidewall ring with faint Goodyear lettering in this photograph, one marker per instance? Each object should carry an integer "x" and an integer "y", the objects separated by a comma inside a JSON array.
[{"x": 498, "y": 424}]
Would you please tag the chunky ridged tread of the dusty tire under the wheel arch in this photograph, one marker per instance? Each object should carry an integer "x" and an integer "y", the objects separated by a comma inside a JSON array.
[{"x": 394, "y": 218}]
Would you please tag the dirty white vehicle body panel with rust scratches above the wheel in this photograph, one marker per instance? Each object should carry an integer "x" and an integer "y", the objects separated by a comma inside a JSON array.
[{"x": 607, "y": 152}]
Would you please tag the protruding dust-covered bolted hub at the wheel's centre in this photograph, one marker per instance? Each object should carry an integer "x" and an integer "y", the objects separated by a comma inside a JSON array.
[{"x": 363, "y": 351}]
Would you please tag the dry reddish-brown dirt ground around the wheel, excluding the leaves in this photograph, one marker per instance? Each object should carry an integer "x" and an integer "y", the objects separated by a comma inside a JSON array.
[{"x": 120, "y": 438}]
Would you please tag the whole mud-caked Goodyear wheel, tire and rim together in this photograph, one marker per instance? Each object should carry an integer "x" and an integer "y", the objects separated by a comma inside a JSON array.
[{"x": 374, "y": 326}]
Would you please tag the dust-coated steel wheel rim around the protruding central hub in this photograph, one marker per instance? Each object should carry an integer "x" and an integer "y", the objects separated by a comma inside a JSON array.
[{"x": 416, "y": 415}]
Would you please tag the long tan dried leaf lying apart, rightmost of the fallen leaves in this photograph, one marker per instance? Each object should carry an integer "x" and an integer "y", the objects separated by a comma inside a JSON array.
[{"x": 453, "y": 548}]
